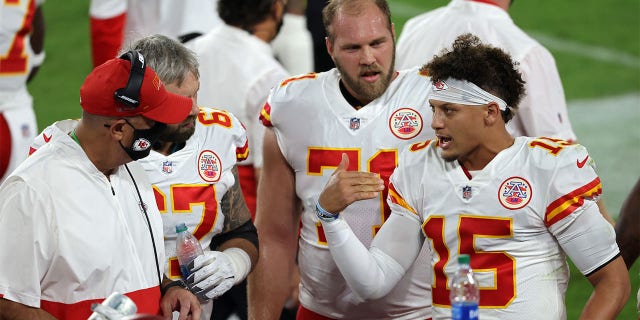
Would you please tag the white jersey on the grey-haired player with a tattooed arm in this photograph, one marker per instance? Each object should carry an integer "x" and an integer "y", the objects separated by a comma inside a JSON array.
[{"x": 190, "y": 183}]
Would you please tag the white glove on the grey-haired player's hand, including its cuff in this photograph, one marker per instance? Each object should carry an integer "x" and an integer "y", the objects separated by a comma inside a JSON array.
[{"x": 215, "y": 272}]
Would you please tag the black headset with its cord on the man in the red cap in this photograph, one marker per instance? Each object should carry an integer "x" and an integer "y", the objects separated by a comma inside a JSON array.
[{"x": 130, "y": 96}]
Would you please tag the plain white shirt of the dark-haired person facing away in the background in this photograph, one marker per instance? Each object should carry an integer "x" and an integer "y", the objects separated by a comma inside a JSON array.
[{"x": 237, "y": 70}]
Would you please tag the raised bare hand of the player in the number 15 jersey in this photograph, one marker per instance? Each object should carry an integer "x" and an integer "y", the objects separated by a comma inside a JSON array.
[{"x": 346, "y": 187}]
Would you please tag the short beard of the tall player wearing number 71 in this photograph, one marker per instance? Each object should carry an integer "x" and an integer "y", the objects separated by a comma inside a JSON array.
[{"x": 368, "y": 91}]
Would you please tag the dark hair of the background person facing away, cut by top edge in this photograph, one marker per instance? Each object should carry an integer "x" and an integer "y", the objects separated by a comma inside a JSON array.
[{"x": 243, "y": 13}]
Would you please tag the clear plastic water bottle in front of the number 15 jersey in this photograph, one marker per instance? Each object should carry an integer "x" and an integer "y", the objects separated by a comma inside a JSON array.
[{"x": 465, "y": 294}]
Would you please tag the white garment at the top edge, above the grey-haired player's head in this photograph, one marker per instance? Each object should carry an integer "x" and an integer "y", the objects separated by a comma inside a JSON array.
[{"x": 168, "y": 17}]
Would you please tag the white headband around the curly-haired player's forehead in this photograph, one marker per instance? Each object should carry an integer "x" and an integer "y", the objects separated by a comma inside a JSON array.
[{"x": 463, "y": 92}]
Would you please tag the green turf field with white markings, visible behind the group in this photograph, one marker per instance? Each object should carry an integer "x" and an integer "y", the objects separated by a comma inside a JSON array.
[{"x": 597, "y": 49}]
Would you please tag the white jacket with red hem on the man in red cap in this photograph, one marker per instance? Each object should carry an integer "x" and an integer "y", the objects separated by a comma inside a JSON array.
[{"x": 73, "y": 236}]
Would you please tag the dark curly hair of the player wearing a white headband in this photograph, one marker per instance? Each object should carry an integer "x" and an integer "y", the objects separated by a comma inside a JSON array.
[{"x": 488, "y": 67}]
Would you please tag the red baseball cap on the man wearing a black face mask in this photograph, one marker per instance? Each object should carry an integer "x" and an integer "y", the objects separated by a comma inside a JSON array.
[{"x": 156, "y": 103}]
